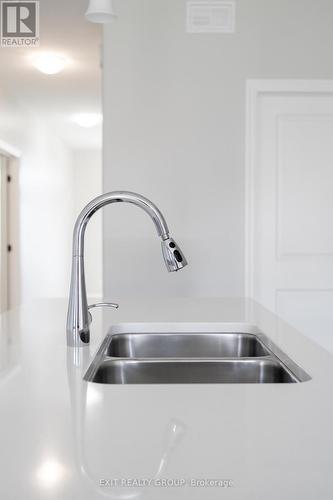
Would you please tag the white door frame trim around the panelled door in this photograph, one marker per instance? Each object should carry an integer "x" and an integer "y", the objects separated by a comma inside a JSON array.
[{"x": 254, "y": 90}]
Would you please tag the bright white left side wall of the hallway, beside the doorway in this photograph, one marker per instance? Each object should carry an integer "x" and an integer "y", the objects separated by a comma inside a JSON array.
[{"x": 46, "y": 201}]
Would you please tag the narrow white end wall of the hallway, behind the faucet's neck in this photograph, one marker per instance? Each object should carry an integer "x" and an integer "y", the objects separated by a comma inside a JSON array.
[{"x": 88, "y": 184}]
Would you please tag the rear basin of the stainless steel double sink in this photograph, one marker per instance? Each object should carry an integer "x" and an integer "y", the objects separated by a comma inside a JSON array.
[{"x": 186, "y": 345}]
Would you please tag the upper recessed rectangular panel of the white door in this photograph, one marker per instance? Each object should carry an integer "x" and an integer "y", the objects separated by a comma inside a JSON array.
[{"x": 305, "y": 184}]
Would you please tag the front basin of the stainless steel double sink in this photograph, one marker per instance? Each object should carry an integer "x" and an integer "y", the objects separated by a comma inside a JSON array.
[{"x": 246, "y": 371}]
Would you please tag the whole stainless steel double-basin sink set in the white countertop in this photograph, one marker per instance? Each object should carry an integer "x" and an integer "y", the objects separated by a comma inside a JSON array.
[{"x": 192, "y": 358}]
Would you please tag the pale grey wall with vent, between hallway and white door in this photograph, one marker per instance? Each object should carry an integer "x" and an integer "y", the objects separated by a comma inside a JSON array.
[{"x": 174, "y": 112}]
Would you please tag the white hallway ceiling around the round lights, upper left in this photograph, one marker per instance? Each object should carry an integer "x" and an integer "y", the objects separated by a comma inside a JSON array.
[{"x": 77, "y": 88}]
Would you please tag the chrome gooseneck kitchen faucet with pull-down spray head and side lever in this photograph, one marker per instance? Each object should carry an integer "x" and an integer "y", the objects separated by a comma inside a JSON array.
[{"x": 79, "y": 317}]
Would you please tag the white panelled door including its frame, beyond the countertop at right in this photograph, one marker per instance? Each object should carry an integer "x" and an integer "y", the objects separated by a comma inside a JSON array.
[{"x": 290, "y": 202}]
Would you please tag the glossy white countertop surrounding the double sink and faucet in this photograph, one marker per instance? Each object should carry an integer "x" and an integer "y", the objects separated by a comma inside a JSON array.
[{"x": 64, "y": 438}]
